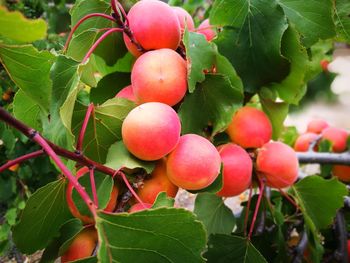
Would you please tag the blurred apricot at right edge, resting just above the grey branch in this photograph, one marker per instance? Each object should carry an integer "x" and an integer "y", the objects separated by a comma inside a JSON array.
[{"x": 337, "y": 136}]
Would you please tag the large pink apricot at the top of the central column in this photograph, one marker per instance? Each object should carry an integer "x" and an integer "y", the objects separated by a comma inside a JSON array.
[{"x": 154, "y": 25}]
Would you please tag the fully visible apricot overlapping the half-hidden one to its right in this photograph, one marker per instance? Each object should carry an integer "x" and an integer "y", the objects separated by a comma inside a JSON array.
[{"x": 194, "y": 164}]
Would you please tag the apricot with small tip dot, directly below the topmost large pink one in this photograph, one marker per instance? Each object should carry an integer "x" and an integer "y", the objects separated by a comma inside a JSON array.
[{"x": 161, "y": 76}]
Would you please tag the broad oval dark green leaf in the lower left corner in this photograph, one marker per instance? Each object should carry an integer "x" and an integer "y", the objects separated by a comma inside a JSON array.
[{"x": 46, "y": 210}]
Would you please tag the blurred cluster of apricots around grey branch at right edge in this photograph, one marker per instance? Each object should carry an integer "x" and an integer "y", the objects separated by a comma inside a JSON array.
[{"x": 318, "y": 131}]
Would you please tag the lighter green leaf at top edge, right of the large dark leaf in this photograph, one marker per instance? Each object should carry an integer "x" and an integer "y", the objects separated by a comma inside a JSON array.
[{"x": 312, "y": 18}]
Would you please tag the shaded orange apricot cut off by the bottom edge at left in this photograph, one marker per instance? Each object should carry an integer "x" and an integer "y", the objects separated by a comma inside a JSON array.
[{"x": 82, "y": 246}]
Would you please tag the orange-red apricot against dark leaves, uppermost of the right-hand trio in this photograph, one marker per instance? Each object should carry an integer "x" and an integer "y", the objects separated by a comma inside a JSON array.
[{"x": 250, "y": 128}]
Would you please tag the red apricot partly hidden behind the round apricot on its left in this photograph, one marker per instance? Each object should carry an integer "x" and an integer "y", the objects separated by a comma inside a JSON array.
[{"x": 237, "y": 170}]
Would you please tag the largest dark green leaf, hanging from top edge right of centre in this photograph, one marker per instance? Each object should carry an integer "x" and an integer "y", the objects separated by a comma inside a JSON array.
[{"x": 245, "y": 45}]
